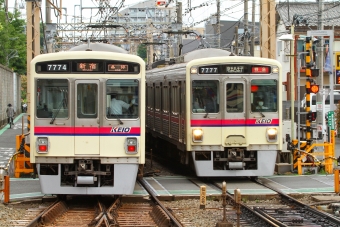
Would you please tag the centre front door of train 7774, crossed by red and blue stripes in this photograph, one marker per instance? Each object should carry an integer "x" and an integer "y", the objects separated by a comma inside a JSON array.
[{"x": 87, "y": 117}]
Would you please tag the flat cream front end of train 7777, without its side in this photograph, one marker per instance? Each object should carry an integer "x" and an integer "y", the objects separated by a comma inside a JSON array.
[{"x": 234, "y": 126}]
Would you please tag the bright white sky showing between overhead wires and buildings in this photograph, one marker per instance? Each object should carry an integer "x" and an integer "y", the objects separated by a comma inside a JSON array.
[{"x": 231, "y": 10}]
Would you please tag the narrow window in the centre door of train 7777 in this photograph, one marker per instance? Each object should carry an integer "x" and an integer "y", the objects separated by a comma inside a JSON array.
[{"x": 235, "y": 98}]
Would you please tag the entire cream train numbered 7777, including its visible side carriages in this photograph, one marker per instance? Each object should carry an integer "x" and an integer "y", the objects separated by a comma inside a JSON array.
[{"x": 220, "y": 114}]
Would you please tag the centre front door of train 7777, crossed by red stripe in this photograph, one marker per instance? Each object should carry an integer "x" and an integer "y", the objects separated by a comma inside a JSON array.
[{"x": 234, "y": 121}]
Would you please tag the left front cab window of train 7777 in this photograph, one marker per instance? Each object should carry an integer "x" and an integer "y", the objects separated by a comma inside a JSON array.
[{"x": 204, "y": 96}]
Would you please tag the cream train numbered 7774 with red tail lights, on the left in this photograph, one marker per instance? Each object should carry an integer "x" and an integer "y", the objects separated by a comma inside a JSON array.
[{"x": 78, "y": 144}]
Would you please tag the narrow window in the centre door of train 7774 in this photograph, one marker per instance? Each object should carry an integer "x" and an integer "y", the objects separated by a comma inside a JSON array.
[{"x": 87, "y": 104}]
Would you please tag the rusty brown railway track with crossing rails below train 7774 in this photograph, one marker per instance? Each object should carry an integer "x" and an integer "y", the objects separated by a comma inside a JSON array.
[{"x": 85, "y": 211}]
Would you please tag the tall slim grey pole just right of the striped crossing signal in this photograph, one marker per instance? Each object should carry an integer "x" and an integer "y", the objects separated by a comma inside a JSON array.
[{"x": 320, "y": 120}]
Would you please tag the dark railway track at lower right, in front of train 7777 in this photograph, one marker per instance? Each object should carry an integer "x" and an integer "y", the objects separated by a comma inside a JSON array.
[{"x": 285, "y": 211}]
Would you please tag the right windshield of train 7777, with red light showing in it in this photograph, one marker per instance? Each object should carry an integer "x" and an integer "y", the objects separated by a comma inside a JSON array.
[{"x": 264, "y": 95}]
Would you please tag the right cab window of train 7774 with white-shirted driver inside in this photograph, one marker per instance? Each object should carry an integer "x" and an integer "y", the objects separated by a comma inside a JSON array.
[{"x": 122, "y": 98}]
